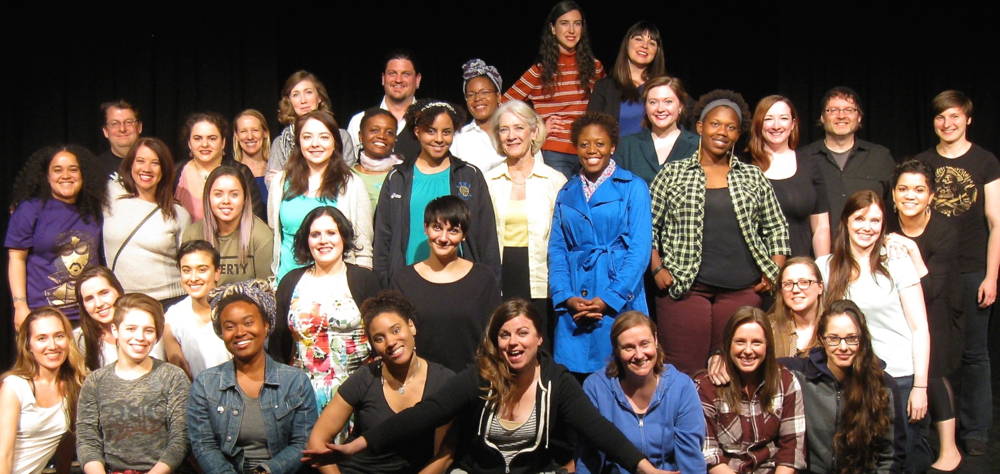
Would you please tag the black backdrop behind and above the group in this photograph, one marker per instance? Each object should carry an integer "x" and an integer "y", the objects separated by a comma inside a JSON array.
[{"x": 172, "y": 63}]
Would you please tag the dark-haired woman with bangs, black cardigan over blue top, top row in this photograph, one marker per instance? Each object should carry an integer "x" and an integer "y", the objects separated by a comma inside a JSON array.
[{"x": 640, "y": 59}]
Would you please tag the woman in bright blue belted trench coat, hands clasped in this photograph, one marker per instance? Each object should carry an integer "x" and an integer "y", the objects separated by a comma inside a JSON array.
[{"x": 598, "y": 248}]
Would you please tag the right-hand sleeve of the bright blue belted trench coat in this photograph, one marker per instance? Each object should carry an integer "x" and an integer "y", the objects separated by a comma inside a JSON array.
[{"x": 629, "y": 275}]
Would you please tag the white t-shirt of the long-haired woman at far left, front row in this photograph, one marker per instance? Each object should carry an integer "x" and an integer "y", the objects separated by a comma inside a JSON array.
[{"x": 39, "y": 430}]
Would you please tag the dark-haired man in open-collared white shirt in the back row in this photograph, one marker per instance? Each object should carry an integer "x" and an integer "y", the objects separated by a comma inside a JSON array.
[{"x": 400, "y": 81}]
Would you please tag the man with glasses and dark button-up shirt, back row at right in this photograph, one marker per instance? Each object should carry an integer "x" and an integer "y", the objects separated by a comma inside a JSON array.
[{"x": 848, "y": 164}]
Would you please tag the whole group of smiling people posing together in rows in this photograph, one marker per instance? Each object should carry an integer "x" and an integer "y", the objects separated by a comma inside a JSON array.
[{"x": 703, "y": 311}]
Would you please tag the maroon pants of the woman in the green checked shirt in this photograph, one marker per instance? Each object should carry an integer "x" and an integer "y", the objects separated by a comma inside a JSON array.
[{"x": 691, "y": 327}]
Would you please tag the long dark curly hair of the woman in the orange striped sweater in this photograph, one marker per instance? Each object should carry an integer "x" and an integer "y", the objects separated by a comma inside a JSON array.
[{"x": 548, "y": 51}]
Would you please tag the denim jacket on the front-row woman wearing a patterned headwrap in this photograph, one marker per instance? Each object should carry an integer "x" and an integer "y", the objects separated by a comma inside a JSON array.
[{"x": 288, "y": 406}]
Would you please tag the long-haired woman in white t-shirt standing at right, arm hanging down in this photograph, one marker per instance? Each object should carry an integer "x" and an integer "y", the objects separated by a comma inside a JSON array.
[{"x": 886, "y": 287}]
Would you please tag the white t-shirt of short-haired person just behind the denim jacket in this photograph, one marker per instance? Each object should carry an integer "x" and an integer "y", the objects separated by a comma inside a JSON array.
[{"x": 201, "y": 347}]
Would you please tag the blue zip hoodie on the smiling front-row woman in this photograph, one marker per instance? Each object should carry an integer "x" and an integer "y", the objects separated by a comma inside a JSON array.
[{"x": 670, "y": 434}]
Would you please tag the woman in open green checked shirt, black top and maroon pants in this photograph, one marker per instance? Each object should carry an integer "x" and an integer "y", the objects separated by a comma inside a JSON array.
[{"x": 719, "y": 236}]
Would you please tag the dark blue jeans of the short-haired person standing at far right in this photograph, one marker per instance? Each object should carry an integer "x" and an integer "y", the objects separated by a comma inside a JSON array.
[{"x": 975, "y": 413}]
